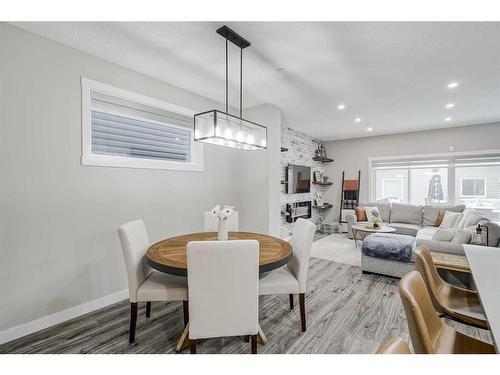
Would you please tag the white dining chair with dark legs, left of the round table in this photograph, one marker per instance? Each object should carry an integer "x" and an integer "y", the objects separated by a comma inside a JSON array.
[{"x": 145, "y": 284}]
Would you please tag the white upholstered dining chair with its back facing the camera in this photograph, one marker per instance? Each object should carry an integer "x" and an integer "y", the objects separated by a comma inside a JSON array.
[{"x": 223, "y": 284}]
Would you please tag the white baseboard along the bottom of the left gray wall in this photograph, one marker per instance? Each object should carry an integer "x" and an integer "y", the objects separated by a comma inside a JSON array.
[{"x": 61, "y": 316}]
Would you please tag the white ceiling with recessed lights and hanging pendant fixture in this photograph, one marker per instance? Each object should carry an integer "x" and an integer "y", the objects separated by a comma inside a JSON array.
[{"x": 392, "y": 75}]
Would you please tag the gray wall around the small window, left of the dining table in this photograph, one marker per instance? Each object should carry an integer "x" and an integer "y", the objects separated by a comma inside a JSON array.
[{"x": 59, "y": 246}]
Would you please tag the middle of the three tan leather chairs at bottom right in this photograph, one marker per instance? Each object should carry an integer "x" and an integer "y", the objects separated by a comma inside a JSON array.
[{"x": 429, "y": 335}]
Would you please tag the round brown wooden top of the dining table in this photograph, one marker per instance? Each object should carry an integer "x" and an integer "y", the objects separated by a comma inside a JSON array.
[{"x": 169, "y": 255}]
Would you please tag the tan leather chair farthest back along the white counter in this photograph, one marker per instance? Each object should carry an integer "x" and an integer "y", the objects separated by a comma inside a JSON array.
[{"x": 456, "y": 303}]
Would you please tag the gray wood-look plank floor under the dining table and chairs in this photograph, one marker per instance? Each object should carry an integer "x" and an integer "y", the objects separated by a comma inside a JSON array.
[{"x": 347, "y": 312}]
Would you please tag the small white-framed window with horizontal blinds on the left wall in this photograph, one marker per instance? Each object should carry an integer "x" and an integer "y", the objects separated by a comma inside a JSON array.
[{"x": 124, "y": 129}]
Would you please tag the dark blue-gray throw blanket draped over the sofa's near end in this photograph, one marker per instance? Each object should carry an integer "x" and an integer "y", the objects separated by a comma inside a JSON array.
[{"x": 388, "y": 246}]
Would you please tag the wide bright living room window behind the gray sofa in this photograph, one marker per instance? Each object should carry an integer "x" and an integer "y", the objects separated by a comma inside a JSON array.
[{"x": 470, "y": 178}]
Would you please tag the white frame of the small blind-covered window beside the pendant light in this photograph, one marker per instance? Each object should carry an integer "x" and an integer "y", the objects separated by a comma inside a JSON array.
[{"x": 89, "y": 158}]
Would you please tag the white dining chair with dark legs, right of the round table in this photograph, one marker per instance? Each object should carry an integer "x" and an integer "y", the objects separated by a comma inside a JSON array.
[{"x": 292, "y": 278}]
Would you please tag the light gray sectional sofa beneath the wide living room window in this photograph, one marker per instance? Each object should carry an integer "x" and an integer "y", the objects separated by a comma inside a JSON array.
[{"x": 417, "y": 221}]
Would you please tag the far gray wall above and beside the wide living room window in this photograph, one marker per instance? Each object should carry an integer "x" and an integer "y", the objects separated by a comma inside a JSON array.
[{"x": 352, "y": 155}]
